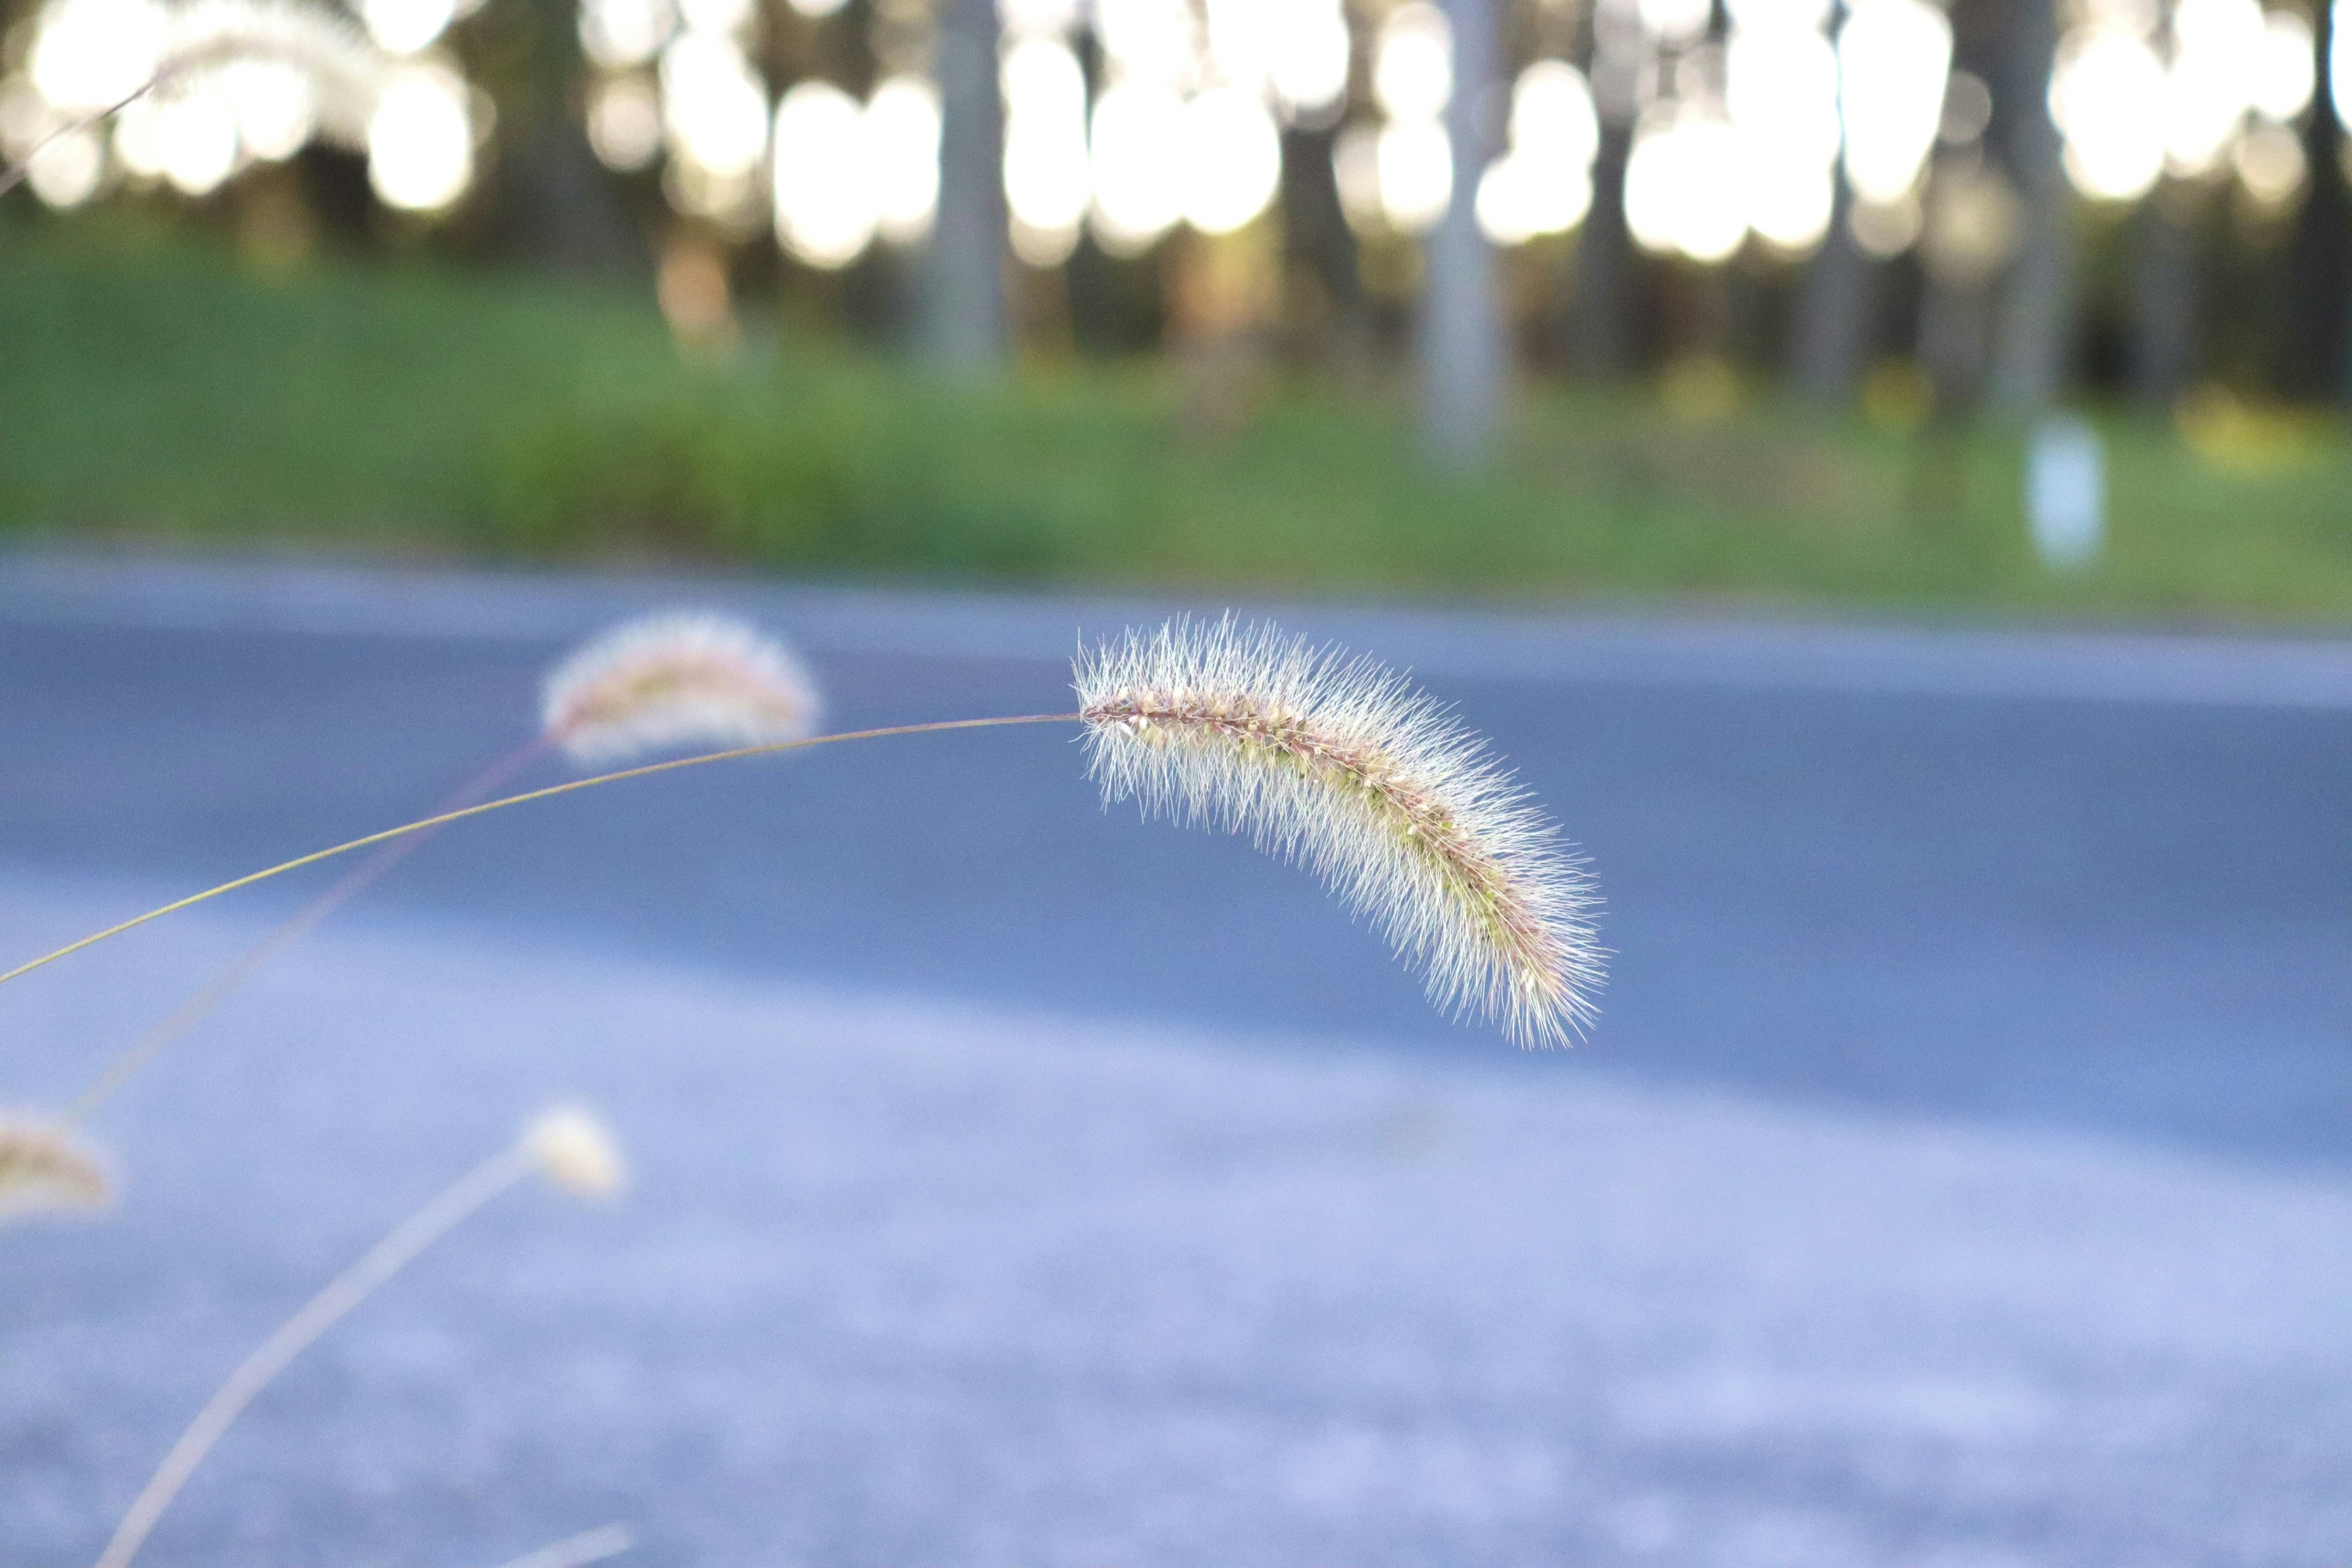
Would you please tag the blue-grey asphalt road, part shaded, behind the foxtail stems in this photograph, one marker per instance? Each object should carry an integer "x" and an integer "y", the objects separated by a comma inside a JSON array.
[{"x": 1960, "y": 1172}]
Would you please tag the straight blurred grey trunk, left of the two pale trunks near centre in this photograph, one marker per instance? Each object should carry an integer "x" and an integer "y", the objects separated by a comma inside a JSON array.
[{"x": 963, "y": 309}]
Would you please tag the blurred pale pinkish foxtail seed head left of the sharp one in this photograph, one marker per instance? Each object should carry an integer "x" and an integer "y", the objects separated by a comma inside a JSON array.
[{"x": 679, "y": 681}]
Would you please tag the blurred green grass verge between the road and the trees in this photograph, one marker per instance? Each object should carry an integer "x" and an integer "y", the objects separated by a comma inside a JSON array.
[{"x": 154, "y": 389}]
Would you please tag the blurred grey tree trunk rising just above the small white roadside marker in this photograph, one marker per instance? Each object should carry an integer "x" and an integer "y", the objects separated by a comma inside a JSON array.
[{"x": 2038, "y": 316}]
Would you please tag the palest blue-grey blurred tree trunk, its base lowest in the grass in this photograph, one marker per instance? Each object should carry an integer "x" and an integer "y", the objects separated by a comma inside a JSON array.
[{"x": 1462, "y": 330}]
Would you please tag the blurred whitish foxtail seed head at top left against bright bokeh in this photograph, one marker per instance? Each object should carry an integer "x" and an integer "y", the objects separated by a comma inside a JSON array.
[{"x": 340, "y": 69}]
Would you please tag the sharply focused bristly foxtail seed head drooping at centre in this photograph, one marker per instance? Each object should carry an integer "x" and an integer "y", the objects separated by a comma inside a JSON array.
[{"x": 1349, "y": 770}]
